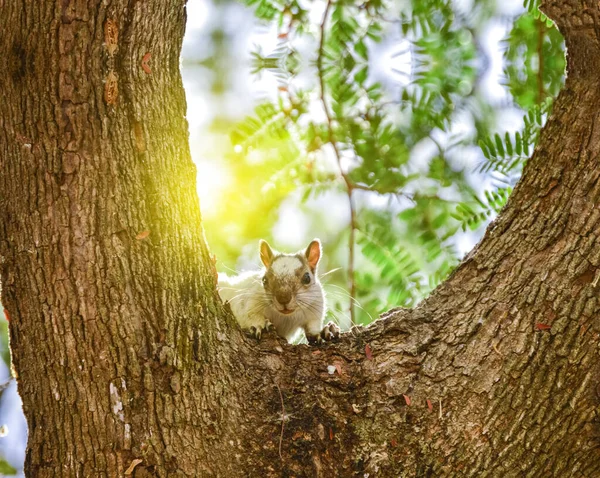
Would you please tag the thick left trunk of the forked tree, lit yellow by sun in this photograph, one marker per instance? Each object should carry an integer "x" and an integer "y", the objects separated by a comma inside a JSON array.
[{"x": 105, "y": 273}]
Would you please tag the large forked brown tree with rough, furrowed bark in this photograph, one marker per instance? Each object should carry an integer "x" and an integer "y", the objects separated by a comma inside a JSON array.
[{"x": 124, "y": 352}]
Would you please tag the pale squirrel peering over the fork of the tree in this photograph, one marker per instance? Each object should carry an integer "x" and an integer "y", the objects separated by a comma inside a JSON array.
[{"x": 285, "y": 295}]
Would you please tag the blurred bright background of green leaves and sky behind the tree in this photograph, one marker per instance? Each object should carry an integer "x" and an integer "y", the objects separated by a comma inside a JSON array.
[{"x": 394, "y": 131}]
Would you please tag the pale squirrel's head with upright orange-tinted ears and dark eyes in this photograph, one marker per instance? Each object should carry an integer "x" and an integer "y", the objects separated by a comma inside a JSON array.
[{"x": 290, "y": 280}]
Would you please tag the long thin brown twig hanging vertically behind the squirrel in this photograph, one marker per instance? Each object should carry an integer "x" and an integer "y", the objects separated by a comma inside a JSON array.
[{"x": 332, "y": 141}]
